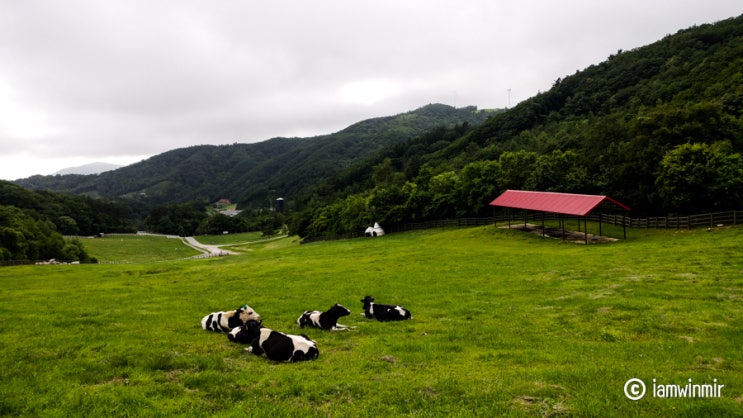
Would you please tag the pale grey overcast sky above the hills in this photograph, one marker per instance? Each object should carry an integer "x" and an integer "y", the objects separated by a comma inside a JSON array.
[{"x": 119, "y": 81}]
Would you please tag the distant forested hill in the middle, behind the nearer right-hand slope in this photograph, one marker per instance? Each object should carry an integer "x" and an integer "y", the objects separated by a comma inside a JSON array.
[{"x": 254, "y": 173}]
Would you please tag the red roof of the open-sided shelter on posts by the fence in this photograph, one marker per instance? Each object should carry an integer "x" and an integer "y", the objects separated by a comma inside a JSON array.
[{"x": 564, "y": 203}]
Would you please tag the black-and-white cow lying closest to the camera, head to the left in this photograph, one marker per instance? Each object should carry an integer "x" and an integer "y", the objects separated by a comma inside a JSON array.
[{"x": 275, "y": 345}]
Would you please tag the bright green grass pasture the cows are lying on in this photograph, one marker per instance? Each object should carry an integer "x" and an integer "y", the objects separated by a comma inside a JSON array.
[{"x": 505, "y": 323}]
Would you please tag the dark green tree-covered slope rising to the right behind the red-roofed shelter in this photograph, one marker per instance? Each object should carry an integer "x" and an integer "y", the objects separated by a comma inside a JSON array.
[{"x": 658, "y": 127}]
